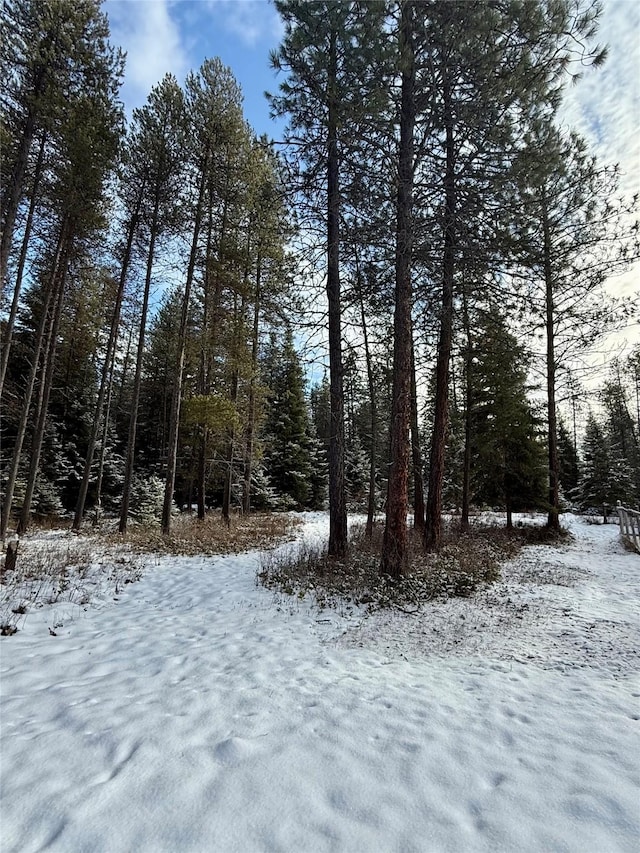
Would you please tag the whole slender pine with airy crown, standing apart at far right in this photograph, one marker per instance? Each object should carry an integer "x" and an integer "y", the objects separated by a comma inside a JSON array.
[{"x": 574, "y": 233}]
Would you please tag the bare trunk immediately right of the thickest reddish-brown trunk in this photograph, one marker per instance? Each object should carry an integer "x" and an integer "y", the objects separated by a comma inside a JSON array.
[{"x": 433, "y": 528}]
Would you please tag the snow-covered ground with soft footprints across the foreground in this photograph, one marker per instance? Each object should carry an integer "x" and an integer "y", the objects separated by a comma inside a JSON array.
[{"x": 200, "y": 713}]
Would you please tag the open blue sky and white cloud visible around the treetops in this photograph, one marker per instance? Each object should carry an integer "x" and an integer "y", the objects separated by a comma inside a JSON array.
[{"x": 176, "y": 35}]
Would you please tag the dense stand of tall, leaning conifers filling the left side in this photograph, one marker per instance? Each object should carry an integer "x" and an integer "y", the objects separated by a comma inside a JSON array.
[{"x": 143, "y": 263}]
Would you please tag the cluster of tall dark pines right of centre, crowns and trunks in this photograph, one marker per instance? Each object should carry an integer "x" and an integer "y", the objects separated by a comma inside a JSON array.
[{"x": 425, "y": 141}]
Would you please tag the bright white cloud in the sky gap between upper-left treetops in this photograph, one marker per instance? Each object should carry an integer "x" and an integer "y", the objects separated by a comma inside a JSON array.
[{"x": 152, "y": 40}]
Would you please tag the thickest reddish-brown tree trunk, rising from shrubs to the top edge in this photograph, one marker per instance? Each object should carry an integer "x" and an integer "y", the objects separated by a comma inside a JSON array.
[{"x": 395, "y": 551}]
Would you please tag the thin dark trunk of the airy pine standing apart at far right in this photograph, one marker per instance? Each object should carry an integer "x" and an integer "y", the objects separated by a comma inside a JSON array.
[{"x": 553, "y": 518}]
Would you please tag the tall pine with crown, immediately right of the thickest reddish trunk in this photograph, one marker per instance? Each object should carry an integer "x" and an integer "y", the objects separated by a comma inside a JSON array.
[{"x": 484, "y": 88}]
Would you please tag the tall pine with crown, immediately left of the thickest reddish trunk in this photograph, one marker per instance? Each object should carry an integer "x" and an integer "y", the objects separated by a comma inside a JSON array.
[{"x": 325, "y": 51}]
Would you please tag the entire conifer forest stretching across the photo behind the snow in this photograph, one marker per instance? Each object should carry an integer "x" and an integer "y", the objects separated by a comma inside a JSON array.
[{"x": 390, "y": 309}]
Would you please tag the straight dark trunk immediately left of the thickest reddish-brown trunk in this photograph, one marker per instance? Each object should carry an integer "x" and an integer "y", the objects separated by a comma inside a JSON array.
[{"x": 337, "y": 500}]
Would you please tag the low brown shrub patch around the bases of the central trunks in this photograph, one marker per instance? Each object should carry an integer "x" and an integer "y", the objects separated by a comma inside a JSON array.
[{"x": 464, "y": 563}]
